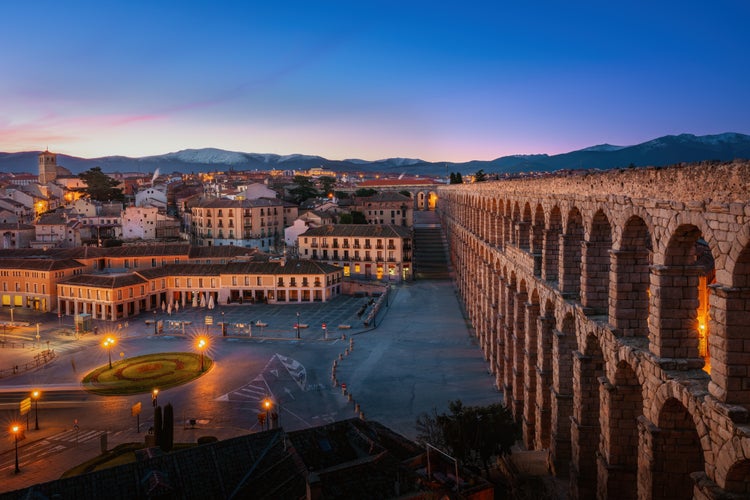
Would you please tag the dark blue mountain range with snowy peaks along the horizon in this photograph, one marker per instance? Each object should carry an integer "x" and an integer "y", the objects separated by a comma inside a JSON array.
[{"x": 665, "y": 150}]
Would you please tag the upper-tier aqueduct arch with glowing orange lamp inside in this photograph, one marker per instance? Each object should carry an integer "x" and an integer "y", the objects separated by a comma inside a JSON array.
[{"x": 679, "y": 301}]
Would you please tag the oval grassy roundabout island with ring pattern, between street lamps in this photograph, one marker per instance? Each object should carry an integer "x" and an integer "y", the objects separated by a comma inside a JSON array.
[{"x": 143, "y": 373}]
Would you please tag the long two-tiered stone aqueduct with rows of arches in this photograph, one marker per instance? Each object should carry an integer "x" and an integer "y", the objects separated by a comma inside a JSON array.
[{"x": 614, "y": 312}]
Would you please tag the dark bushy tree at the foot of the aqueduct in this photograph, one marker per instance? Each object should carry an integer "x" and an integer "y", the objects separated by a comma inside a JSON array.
[{"x": 472, "y": 434}]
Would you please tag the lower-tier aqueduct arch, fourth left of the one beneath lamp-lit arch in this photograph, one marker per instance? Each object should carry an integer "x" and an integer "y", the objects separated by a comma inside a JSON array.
[{"x": 546, "y": 329}]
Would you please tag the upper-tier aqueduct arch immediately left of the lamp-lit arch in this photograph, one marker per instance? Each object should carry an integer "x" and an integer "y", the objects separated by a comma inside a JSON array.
[{"x": 630, "y": 279}]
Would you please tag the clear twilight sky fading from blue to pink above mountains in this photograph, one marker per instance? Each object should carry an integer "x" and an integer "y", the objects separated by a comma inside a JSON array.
[{"x": 439, "y": 81}]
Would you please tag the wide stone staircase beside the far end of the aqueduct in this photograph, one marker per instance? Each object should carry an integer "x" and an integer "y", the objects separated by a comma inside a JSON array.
[{"x": 430, "y": 247}]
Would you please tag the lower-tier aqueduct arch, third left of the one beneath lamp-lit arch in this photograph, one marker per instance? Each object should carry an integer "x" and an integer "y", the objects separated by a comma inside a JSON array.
[{"x": 563, "y": 346}]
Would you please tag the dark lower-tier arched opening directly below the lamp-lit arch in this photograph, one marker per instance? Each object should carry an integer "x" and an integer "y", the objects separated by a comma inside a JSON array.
[{"x": 677, "y": 453}]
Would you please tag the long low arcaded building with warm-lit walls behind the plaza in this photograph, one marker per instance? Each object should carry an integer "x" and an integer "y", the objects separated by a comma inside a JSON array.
[{"x": 119, "y": 296}]
